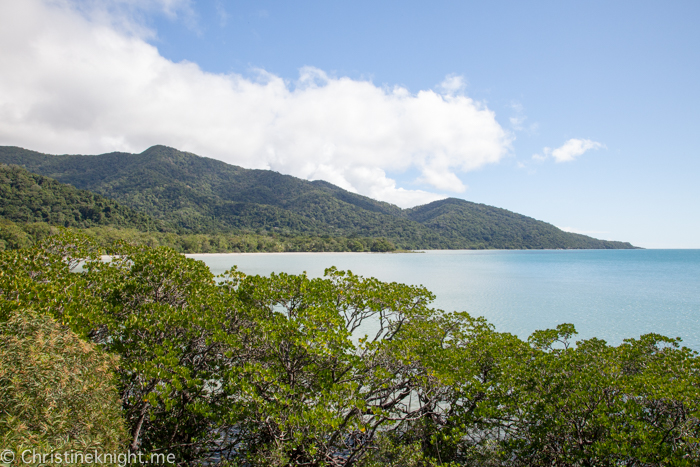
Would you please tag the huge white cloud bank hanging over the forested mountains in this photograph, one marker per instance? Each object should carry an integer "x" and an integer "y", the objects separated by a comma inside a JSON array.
[{"x": 75, "y": 83}]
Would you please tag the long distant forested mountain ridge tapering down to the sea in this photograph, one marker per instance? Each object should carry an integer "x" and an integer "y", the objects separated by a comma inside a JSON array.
[{"x": 199, "y": 194}]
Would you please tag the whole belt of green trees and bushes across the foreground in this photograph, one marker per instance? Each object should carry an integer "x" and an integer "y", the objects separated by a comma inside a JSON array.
[{"x": 148, "y": 354}]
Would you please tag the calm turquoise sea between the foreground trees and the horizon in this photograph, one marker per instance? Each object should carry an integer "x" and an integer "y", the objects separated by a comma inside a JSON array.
[{"x": 609, "y": 294}]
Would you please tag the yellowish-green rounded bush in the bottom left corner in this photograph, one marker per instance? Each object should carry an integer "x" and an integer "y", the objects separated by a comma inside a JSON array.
[{"x": 57, "y": 391}]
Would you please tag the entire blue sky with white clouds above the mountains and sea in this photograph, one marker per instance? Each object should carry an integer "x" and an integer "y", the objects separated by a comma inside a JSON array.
[{"x": 583, "y": 114}]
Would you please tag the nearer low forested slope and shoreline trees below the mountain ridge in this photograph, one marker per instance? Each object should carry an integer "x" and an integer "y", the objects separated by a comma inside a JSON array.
[{"x": 32, "y": 206}]
